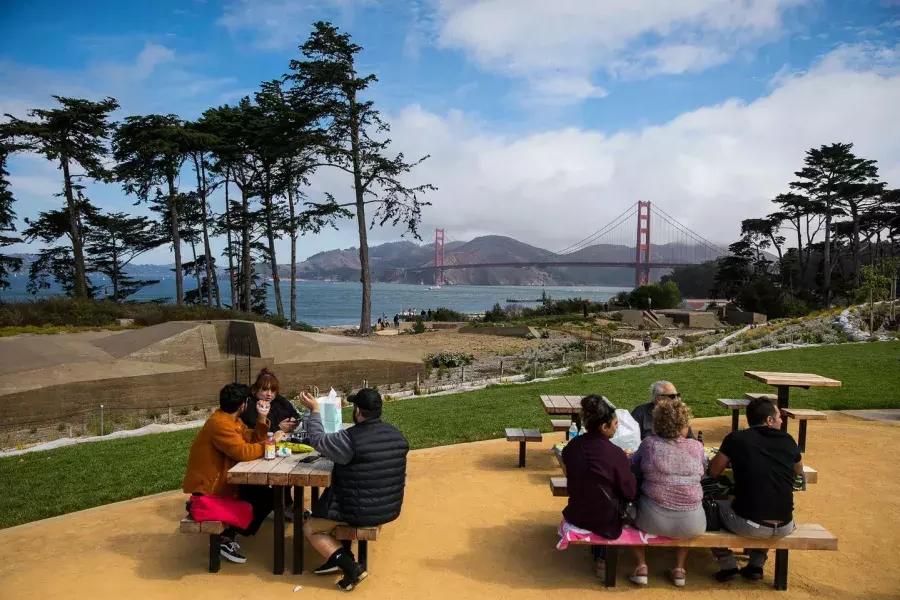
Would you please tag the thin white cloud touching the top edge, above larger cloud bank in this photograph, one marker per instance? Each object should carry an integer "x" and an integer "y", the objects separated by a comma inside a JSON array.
[{"x": 576, "y": 39}]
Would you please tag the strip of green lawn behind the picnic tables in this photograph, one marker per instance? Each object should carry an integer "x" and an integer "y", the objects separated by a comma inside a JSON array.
[{"x": 44, "y": 484}]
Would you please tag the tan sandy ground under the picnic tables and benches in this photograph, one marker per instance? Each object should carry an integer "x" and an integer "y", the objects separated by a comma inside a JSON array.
[{"x": 473, "y": 526}]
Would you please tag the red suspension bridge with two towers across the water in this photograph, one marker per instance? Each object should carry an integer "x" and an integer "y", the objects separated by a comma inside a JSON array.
[{"x": 628, "y": 236}]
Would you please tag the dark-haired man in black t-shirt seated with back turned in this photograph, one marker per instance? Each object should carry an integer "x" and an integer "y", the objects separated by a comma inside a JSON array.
[{"x": 765, "y": 461}]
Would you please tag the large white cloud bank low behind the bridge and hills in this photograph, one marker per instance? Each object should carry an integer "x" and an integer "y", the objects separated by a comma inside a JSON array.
[{"x": 709, "y": 168}]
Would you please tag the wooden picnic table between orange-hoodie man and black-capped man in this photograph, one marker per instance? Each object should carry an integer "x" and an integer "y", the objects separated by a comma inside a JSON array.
[{"x": 283, "y": 473}]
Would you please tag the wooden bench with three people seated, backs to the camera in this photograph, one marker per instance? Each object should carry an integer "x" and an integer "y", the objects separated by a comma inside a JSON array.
[{"x": 805, "y": 537}]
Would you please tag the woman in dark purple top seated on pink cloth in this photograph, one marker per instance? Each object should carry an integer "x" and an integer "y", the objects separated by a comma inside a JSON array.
[{"x": 594, "y": 466}]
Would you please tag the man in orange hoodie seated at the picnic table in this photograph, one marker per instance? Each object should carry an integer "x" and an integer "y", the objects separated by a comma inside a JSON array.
[{"x": 222, "y": 442}]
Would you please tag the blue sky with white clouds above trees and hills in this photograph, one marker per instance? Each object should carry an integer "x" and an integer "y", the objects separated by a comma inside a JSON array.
[{"x": 542, "y": 119}]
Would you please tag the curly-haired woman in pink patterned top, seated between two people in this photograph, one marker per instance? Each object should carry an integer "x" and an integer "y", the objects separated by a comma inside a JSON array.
[{"x": 671, "y": 465}]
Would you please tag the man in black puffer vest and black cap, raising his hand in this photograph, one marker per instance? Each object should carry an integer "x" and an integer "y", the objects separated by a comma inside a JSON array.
[{"x": 366, "y": 485}]
